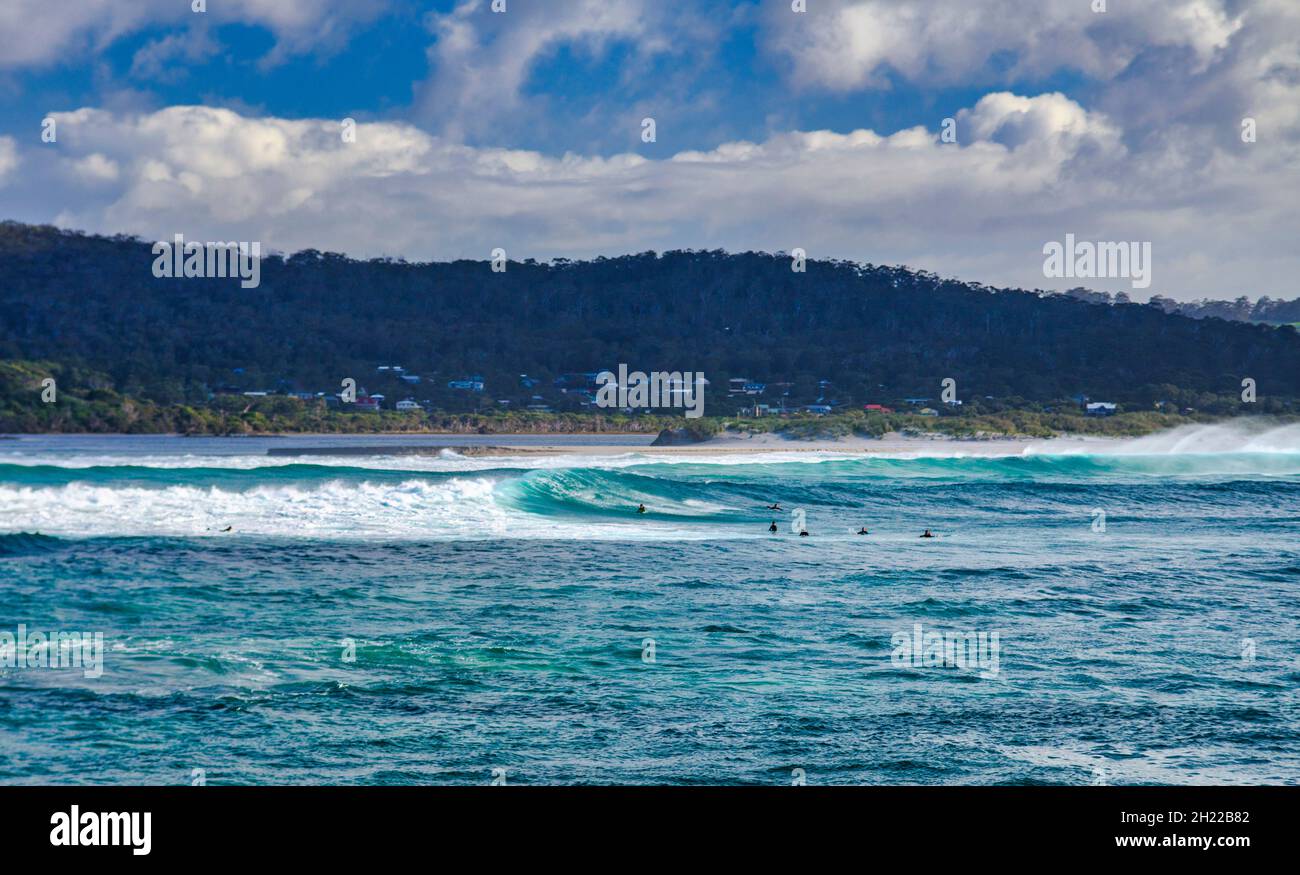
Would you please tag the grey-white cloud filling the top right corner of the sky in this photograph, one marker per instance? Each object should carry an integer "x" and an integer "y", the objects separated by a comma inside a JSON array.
[{"x": 1167, "y": 72}]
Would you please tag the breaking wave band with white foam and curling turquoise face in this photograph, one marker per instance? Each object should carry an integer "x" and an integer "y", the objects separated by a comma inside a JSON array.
[{"x": 592, "y": 497}]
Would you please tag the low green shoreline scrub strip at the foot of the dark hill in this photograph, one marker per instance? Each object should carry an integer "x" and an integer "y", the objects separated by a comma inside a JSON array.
[{"x": 85, "y": 404}]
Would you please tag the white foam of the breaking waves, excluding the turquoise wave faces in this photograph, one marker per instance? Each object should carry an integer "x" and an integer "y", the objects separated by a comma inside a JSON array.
[{"x": 471, "y": 506}]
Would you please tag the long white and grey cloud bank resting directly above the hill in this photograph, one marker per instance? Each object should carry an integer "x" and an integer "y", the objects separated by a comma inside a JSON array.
[{"x": 1025, "y": 171}]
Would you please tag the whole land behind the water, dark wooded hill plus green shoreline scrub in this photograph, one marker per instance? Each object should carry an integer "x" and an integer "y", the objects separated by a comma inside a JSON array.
[{"x": 466, "y": 349}]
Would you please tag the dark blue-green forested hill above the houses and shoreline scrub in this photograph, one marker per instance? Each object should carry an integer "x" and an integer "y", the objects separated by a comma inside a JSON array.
[{"x": 877, "y": 333}]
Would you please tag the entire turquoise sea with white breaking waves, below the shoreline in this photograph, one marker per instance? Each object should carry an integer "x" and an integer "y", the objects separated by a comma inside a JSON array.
[{"x": 501, "y": 608}]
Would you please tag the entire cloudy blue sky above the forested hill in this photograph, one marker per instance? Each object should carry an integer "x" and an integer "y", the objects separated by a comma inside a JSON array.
[{"x": 775, "y": 129}]
